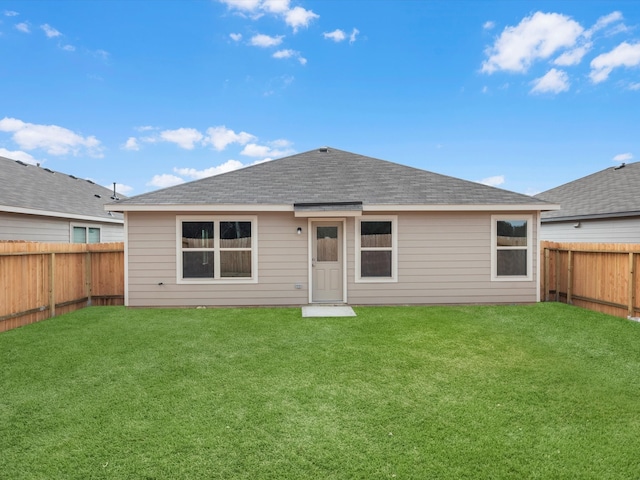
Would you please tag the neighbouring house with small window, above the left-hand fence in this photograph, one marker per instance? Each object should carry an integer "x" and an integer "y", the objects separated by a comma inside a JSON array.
[{"x": 39, "y": 204}]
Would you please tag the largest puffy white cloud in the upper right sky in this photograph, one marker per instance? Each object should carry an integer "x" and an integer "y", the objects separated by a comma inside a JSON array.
[{"x": 536, "y": 37}]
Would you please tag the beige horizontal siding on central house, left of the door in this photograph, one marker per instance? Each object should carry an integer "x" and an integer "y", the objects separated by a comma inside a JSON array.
[{"x": 282, "y": 263}]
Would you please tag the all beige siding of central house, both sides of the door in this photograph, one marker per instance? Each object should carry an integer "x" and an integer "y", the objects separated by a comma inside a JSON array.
[{"x": 443, "y": 258}]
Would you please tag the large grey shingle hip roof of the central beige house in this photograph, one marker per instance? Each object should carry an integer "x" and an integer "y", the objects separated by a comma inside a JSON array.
[{"x": 326, "y": 178}]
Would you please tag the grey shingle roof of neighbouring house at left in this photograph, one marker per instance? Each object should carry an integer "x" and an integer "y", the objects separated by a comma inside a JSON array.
[{"x": 34, "y": 190}]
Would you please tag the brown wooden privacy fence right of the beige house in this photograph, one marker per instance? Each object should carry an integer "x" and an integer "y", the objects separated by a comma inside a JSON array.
[{"x": 597, "y": 276}]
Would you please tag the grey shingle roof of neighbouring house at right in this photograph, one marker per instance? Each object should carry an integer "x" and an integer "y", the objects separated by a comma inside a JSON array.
[{"x": 612, "y": 192}]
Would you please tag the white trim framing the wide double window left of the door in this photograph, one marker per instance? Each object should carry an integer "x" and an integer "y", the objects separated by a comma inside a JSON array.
[{"x": 216, "y": 248}]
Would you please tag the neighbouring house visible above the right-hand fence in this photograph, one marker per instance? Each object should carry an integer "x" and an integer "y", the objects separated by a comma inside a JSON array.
[{"x": 603, "y": 207}]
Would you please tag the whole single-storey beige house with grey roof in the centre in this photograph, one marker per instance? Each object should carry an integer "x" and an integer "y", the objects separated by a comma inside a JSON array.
[{"x": 329, "y": 226}]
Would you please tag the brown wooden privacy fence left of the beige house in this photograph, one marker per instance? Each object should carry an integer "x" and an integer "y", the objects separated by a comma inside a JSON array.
[{"x": 42, "y": 280}]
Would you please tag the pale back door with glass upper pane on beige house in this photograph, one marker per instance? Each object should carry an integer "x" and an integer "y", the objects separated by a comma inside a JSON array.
[{"x": 326, "y": 262}]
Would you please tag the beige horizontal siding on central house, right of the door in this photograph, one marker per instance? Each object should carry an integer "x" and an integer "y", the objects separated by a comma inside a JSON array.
[{"x": 443, "y": 258}]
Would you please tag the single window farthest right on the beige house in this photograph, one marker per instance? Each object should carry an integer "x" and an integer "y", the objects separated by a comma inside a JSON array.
[{"x": 511, "y": 247}]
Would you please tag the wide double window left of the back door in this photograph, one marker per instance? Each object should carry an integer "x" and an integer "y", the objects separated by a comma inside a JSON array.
[{"x": 216, "y": 249}]
